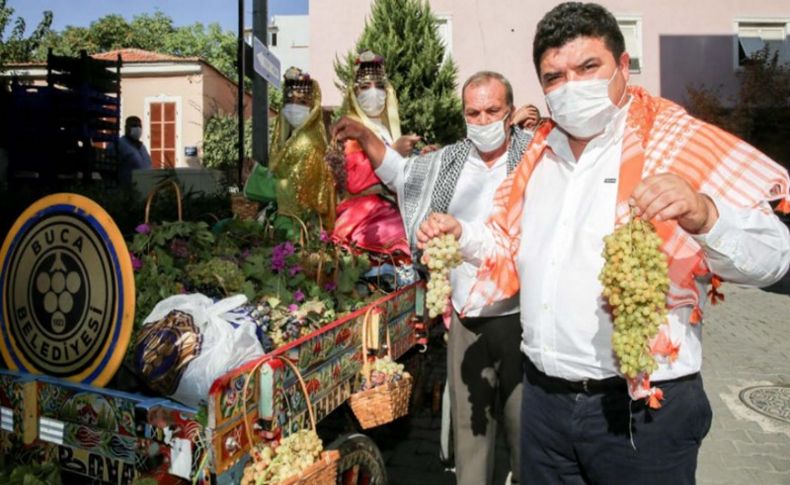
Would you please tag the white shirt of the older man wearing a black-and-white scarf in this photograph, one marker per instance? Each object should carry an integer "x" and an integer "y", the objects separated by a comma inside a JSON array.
[{"x": 471, "y": 201}]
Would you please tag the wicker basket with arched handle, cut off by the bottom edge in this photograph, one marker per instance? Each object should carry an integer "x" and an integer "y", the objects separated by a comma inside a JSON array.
[{"x": 324, "y": 470}]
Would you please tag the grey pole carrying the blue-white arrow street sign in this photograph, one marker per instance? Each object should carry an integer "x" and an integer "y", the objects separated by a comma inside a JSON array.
[{"x": 260, "y": 95}]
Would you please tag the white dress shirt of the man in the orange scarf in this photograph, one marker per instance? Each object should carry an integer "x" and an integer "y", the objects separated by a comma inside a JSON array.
[{"x": 569, "y": 208}]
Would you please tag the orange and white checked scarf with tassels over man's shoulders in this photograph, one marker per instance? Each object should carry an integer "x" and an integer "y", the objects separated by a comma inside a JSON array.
[{"x": 659, "y": 137}]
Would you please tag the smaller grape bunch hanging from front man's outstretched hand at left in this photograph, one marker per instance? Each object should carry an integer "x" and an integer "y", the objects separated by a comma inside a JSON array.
[{"x": 441, "y": 255}]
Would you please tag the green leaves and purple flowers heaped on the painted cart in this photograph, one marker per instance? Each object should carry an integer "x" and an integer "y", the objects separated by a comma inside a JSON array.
[{"x": 295, "y": 282}]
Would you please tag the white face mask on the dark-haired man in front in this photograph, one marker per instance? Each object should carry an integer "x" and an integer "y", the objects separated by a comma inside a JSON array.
[{"x": 582, "y": 108}]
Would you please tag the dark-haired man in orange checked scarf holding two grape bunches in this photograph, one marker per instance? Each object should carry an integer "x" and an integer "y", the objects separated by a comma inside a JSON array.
[{"x": 610, "y": 146}]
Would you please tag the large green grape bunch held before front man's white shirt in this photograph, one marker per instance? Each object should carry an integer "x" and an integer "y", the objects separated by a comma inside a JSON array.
[{"x": 635, "y": 282}]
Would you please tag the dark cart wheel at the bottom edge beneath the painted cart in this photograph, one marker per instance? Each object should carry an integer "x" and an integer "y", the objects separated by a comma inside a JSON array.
[{"x": 360, "y": 462}]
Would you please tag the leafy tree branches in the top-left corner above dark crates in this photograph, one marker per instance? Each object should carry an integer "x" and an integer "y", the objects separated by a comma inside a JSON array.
[{"x": 16, "y": 47}]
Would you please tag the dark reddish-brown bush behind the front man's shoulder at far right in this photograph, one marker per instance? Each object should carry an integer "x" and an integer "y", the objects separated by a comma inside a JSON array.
[{"x": 760, "y": 111}]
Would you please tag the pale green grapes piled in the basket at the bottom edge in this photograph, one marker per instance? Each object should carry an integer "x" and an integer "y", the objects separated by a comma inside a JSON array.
[{"x": 275, "y": 464}]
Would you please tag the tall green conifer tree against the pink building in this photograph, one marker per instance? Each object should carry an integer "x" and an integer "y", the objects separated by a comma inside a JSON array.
[{"x": 405, "y": 33}]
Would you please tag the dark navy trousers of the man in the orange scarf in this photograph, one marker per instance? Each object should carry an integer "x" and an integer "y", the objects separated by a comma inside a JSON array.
[{"x": 584, "y": 438}]
